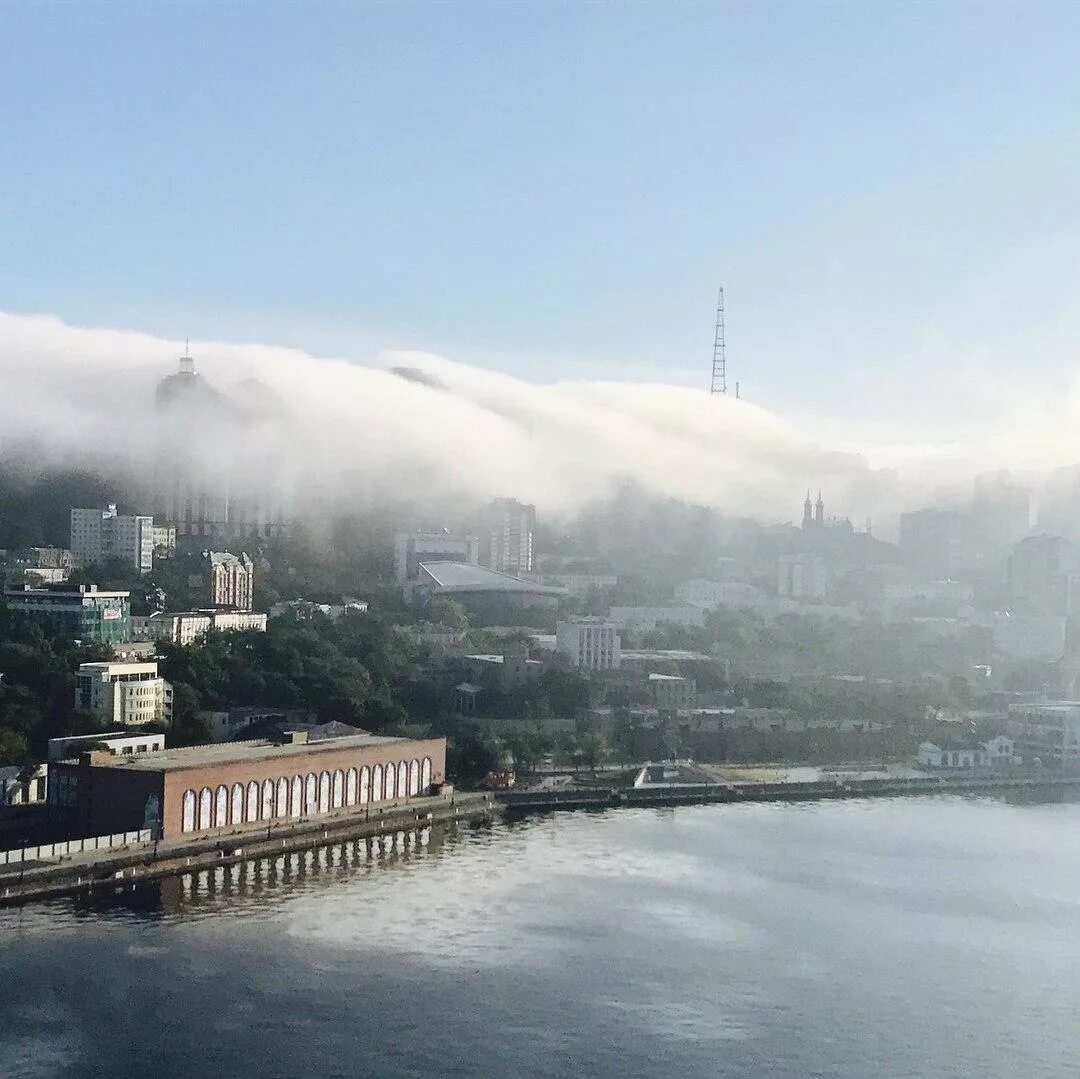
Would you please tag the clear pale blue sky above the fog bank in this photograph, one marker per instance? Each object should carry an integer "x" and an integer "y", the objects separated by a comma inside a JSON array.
[{"x": 888, "y": 193}]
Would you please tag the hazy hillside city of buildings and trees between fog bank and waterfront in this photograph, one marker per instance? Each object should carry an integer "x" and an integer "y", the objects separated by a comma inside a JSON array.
[{"x": 643, "y": 633}]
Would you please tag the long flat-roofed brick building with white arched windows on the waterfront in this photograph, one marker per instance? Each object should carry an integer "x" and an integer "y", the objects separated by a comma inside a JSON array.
[{"x": 242, "y": 786}]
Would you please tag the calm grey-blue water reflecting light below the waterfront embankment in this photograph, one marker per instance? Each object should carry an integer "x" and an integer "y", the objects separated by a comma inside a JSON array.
[{"x": 930, "y": 938}]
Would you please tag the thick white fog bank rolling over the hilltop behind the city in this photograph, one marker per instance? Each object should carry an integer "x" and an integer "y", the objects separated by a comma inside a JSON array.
[{"x": 424, "y": 427}]
